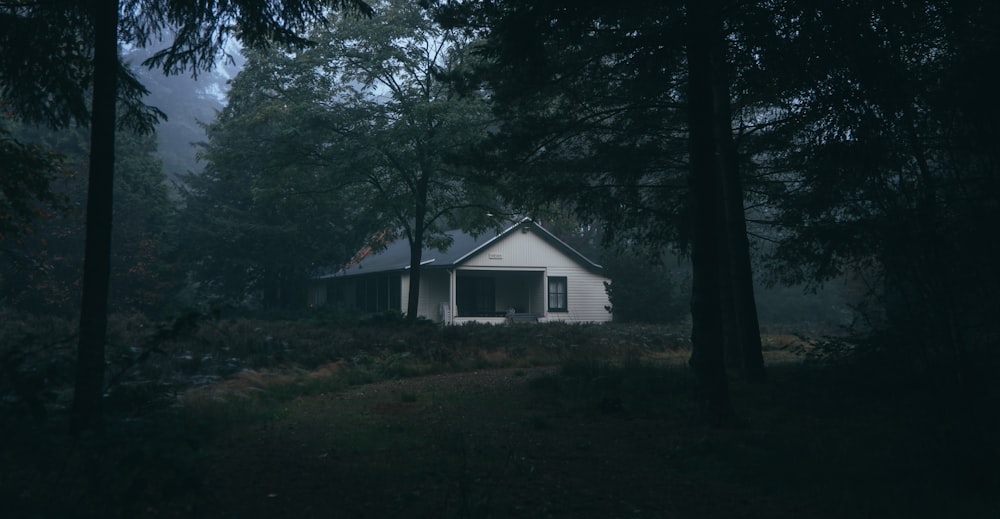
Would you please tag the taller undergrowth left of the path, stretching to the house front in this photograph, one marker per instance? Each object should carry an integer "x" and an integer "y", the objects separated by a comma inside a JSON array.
[{"x": 220, "y": 373}]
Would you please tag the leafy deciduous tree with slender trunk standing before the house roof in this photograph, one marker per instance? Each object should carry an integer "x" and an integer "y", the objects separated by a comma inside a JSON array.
[{"x": 367, "y": 118}]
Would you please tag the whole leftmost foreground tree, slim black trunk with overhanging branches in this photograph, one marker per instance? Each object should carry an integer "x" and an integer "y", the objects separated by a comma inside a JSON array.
[{"x": 86, "y": 37}]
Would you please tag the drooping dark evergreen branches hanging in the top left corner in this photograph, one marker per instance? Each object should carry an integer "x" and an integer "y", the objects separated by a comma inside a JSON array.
[{"x": 46, "y": 64}]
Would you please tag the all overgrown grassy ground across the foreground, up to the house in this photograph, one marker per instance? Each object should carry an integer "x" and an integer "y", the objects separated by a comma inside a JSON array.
[{"x": 816, "y": 433}]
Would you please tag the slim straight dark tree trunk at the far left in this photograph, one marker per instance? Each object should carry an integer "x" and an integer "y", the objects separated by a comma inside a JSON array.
[{"x": 87, "y": 409}]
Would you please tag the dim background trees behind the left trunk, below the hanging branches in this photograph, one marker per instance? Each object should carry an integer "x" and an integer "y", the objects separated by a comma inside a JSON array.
[{"x": 45, "y": 274}]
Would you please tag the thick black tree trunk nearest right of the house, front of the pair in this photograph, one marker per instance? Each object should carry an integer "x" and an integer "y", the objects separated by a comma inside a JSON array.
[{"x": 707, "y": 354}]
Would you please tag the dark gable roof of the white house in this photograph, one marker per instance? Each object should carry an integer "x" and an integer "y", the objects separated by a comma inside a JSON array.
[{"x": 396, "y": 256}]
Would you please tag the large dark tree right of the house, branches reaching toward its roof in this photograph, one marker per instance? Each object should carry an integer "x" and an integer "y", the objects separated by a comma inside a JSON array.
[{"x": 600, "y": 106}]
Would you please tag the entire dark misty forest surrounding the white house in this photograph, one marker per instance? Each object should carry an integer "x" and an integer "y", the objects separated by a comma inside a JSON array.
[{"x": 783, "y": 142}]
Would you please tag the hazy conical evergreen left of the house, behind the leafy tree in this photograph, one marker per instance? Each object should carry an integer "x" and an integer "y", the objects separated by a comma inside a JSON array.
[{"x": 266, "y": 213}]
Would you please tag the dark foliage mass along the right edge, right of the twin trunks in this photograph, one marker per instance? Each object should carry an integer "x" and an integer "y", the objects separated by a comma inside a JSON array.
[{"x": 890, "y": 177}]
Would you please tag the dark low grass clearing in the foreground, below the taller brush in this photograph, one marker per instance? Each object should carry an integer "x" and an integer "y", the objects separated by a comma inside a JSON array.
[{"x": 598, "y": 431}]
